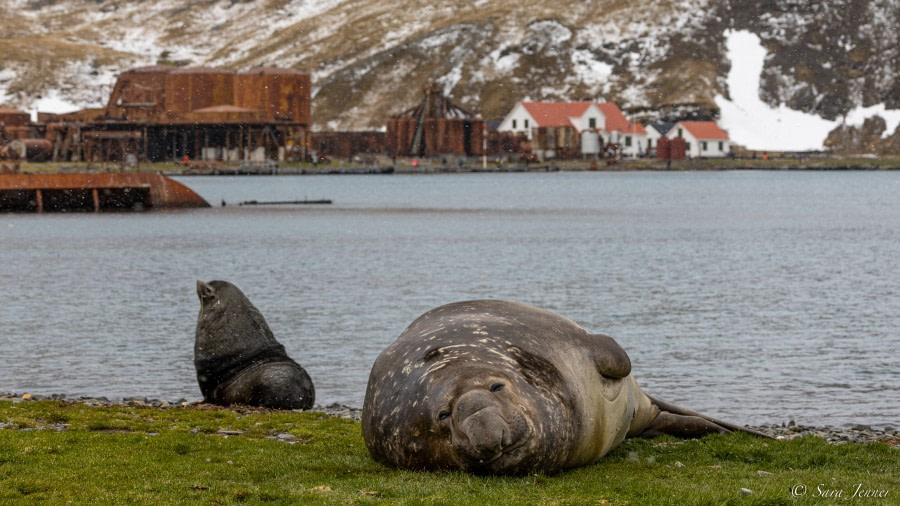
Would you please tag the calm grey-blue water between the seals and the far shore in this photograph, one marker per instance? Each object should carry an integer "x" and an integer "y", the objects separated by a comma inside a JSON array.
[{"x": 753, "y": 296}]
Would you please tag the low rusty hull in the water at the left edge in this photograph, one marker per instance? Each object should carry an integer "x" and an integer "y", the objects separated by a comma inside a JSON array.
[{"x": 94, "y": 192}]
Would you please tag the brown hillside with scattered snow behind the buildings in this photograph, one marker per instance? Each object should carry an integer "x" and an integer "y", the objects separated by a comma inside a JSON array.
[{"x": 370, "y": 58}]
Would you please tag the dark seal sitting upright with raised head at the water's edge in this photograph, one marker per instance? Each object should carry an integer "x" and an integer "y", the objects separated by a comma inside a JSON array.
[{"x": 237, "y": 358}]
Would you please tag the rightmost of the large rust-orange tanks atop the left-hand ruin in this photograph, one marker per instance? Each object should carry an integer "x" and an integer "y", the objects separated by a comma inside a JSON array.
[{"x": 280, "y": 93}]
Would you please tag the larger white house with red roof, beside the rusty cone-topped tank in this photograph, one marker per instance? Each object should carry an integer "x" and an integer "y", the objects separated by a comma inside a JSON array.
[{"x": 603, "y": 117}]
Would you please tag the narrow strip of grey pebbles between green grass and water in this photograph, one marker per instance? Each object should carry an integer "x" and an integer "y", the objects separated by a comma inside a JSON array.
[{"x": 857, "y": 433}]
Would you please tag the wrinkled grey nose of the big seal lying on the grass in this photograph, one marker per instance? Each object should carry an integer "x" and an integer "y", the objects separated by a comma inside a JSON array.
[{"x": 481, "y": 421}]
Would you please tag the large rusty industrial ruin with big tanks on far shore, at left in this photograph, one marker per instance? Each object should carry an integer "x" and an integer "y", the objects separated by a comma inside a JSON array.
[{"x": 166, "y": 113}]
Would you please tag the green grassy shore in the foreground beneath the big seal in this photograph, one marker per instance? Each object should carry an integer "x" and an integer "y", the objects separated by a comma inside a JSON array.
[{"x": 57, "y": 452}]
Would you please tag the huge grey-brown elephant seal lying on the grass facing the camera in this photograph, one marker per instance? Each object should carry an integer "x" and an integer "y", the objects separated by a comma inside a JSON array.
[{"x": 495, "y": 387}]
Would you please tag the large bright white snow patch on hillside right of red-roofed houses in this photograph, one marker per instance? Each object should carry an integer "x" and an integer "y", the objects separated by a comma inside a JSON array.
[{"x": 755, "y": 125}]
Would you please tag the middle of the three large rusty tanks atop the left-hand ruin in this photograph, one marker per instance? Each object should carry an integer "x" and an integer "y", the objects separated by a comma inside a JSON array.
[{"x": 191, "y": 88}]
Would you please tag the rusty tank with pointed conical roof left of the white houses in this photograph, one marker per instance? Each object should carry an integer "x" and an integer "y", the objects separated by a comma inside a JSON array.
[{"x": 436, "y": 126}]
